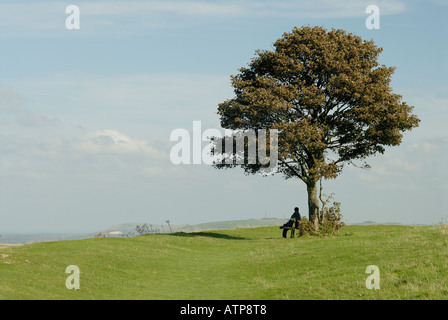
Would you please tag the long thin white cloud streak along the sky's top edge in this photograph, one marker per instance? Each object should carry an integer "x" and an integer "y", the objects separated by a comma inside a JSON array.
[{"x": 46, "y": 18}]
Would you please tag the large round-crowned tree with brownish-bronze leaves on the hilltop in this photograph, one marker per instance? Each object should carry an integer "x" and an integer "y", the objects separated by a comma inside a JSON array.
[{"x": 328, "y": 97}]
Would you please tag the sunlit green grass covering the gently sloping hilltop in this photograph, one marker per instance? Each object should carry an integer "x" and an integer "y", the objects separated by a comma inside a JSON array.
[{"x": 253, "y": 263}]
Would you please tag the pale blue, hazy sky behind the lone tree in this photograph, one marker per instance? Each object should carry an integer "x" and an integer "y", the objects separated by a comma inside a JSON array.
[{"x": 86, "y": 114}]
